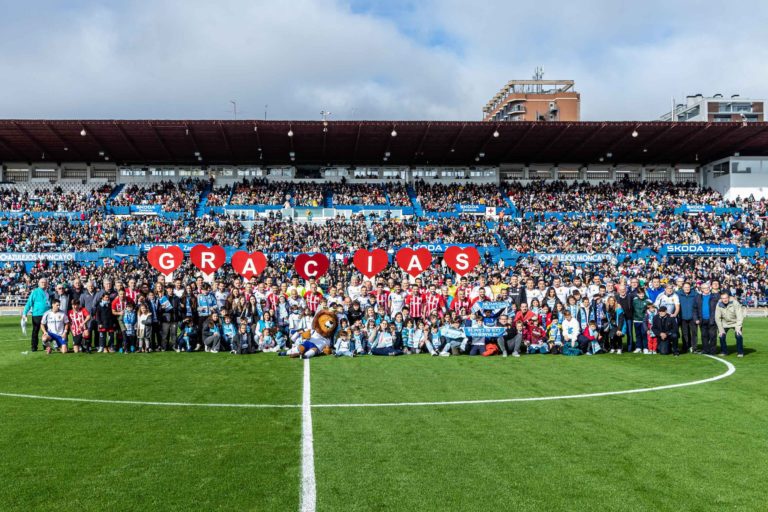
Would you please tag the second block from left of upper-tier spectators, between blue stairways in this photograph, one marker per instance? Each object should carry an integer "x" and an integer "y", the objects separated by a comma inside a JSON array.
[{"x": 181, "y": 196}]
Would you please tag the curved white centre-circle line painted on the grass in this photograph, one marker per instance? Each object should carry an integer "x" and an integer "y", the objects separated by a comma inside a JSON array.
[{"x": 728, "y": 373}]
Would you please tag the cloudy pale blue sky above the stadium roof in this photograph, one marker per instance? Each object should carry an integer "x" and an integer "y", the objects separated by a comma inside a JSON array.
[{"x": 363, "y": 59}]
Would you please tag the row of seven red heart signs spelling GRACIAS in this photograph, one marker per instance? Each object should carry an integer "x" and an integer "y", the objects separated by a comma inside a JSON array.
[{"x": 370, "y": 263}]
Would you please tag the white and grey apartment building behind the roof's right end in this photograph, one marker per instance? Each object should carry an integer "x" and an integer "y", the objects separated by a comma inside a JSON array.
[{"x": 717, "y": 109}]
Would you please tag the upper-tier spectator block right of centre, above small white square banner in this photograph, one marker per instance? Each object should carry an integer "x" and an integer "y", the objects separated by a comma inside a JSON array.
[{"x": 443, "y": 198}]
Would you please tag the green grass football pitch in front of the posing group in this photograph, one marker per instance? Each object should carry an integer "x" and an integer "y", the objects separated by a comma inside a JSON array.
[{"x": 221, "y": 432}]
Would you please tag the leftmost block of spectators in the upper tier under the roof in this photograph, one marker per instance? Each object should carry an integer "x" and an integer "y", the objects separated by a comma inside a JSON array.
[{"x": 54, "y": 199}]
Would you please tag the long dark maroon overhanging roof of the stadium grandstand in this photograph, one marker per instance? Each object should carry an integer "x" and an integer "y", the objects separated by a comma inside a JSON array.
[{"x": 369, "y": 142}]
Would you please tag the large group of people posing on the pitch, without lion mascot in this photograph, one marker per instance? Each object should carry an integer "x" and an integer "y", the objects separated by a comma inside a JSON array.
[{"x": 488, "y": 312}]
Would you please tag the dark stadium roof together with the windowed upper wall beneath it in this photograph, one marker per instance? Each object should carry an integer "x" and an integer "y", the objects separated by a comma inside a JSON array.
[{"x": 729, "y": 157}]
